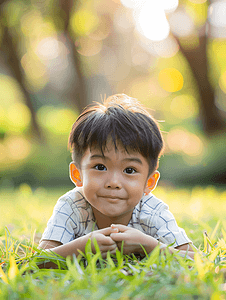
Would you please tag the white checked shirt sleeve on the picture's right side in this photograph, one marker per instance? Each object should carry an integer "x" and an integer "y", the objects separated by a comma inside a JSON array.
[{"x": 168, "y": 232}]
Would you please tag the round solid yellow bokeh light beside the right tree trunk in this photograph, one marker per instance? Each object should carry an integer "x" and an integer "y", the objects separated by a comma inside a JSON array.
[{"x": 171, "y": 79}]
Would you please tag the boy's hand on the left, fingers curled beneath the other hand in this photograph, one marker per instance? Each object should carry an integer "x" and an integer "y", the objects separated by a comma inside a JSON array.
[{"x": 104, "y": 241}]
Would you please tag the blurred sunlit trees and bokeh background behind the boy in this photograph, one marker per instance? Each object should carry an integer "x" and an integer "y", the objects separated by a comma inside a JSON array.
[{"x": 57, "y": 56}]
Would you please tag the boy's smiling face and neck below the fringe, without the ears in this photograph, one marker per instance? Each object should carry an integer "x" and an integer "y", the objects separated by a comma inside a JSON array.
[{"x": 114, "y": 183}]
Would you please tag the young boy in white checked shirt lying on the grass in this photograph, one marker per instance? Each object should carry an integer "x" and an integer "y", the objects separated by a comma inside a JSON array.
[{"x": 115, "y": 150}]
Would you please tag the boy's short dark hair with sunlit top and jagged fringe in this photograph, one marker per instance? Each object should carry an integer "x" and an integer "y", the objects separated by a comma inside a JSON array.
[{"x": 125, "y": 121}]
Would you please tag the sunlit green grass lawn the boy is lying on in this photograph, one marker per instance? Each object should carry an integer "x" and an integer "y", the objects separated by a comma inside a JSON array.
[{"x": 200, "y": 211}]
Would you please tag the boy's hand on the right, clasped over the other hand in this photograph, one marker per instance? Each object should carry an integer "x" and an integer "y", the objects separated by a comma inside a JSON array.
[{"x": 132, "y": 238}]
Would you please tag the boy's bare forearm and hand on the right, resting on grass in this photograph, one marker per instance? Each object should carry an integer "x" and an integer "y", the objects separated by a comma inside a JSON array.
[{"x": 133, "y": 238}]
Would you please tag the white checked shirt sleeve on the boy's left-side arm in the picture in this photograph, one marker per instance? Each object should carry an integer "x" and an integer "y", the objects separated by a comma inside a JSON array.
[{"x": 63, "y": 224}]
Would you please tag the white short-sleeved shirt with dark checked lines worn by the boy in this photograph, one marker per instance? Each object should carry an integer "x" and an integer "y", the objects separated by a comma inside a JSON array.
[{"x": 73, "y": 217}]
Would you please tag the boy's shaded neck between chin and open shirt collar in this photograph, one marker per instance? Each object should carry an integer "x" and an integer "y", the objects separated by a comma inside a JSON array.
[{"x": 103, "y": 221}]
